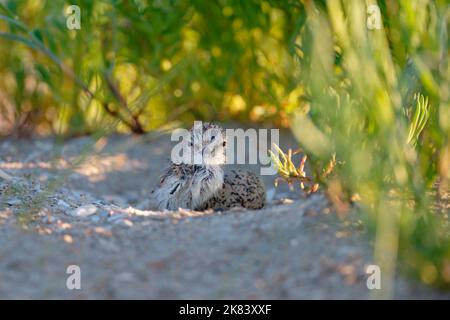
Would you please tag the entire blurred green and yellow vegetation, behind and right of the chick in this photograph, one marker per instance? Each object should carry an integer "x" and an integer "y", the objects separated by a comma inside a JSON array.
[{"x": 366, "y": 82}]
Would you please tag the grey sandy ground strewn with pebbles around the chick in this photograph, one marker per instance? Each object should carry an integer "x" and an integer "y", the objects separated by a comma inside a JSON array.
[{"x": 95, "y": 216}]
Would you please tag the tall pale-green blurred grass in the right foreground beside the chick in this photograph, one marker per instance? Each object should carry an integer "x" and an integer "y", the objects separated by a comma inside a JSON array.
[{"x": 379, "y": 99}]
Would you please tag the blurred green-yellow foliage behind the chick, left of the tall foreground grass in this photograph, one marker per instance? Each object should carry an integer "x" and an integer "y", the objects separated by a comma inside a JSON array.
[{"x": 151, "y": 62}]
